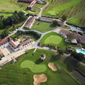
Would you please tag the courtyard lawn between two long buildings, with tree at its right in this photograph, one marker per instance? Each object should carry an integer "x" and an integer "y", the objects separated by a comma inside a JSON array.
[{"x": 43, "y": 26}]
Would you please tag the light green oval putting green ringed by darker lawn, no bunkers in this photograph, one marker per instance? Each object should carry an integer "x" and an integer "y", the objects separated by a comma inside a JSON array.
[{"x": 53, "y": 39}]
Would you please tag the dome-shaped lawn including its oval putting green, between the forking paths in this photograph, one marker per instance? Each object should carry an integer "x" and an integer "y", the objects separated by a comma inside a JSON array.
[{"x": 53, "y": 38}]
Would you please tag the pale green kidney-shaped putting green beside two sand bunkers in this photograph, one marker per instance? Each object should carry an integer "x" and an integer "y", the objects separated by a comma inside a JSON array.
[{"x": 32, "y": 66}]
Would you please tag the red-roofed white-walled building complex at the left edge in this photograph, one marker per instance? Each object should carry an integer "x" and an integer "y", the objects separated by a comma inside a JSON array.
[{"x": 15, "y": 44}]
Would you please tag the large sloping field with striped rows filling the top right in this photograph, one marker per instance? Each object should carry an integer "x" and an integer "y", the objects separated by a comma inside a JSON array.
[{"x": 71, "y": 8}]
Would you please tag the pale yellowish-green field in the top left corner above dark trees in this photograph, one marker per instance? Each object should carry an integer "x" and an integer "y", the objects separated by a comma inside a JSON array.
[{"x": 9, "y": 6}]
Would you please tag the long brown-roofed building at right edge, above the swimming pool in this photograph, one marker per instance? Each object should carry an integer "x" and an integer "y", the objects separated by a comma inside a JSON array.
[{"x": 78, "y": 37}]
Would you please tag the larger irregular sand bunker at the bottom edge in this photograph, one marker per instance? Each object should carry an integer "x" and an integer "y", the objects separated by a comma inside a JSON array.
[{"x": 39, "y": 78}]
